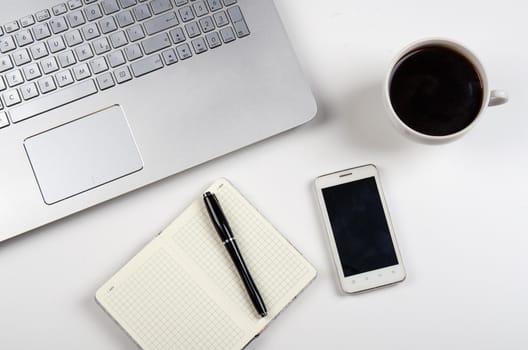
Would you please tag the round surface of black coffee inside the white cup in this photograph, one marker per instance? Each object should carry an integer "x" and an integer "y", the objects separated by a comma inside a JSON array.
[{"x": 436, "y": 91}]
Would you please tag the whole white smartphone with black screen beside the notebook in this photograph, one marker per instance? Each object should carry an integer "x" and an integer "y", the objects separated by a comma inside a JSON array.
[{"x": 357, "y": 221}]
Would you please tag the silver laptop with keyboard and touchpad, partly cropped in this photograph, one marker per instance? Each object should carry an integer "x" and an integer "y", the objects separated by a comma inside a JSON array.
[{"x": 101, "y": 97}]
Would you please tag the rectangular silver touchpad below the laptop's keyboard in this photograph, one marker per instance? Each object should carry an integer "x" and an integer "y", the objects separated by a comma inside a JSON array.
[{"x": 83, "y": 154}]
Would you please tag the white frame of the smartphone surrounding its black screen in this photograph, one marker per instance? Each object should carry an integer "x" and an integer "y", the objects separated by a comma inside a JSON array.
[{"x": 370, "y": 279}]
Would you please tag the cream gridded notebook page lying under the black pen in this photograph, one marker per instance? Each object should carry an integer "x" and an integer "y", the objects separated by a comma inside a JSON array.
[{"x": 274, "y": 265}]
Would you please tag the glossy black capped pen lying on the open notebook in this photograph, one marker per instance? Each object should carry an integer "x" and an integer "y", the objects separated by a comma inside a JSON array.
[{"x": 226, "y": 235}]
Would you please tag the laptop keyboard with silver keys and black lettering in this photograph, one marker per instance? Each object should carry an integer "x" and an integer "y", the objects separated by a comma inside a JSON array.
[{"x": 79, "y": 48}]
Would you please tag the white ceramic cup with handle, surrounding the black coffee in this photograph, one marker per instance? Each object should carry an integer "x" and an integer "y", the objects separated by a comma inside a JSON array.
[{"x": 490, "y": 97}]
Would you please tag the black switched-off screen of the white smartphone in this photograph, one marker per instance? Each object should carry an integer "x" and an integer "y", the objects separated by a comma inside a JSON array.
[{"x": 359, "y": 225}]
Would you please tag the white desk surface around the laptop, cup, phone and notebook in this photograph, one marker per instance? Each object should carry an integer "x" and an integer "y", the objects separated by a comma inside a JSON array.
[{"x": 459, "y": 210}]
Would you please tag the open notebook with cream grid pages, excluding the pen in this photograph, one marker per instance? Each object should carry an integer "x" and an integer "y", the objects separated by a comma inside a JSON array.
[{"x": 182, "y": 290}]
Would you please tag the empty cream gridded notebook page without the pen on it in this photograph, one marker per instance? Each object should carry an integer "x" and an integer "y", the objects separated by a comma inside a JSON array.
[{"x": 162, "y": 308}]
